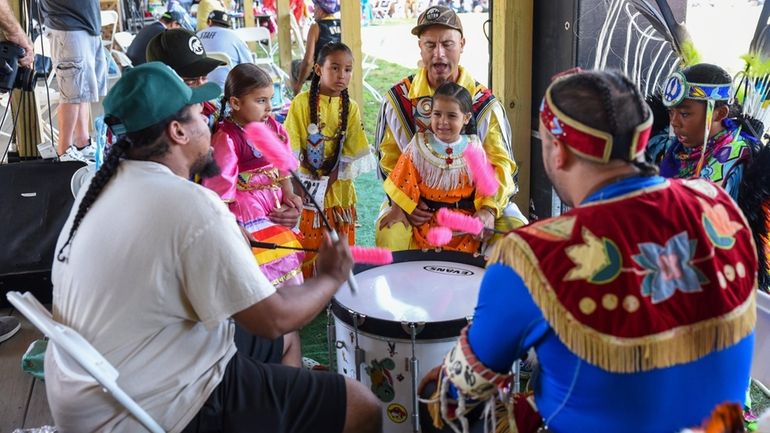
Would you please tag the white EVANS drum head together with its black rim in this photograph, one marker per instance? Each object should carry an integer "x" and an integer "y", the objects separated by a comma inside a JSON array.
[{"x": 419, "y": 287}]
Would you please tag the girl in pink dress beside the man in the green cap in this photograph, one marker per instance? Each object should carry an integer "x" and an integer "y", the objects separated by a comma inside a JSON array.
[{"x": 261, "y": 197}]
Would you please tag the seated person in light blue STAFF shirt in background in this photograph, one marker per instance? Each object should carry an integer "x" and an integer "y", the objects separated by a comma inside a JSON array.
[{"x": 220, "y": 38}]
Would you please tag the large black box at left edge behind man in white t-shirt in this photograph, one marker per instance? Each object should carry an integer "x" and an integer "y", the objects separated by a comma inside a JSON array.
[{"x": 35, "y": 200}]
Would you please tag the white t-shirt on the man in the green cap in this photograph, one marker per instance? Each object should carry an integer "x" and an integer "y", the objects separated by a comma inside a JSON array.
[{"x": 155, "y": 271}]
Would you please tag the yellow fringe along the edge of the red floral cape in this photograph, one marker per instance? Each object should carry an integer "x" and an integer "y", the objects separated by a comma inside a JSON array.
[{"x": 624, "y": 355}]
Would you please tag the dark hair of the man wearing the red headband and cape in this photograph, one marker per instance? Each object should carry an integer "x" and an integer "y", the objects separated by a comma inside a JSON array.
[{"x": 607, "y": 101}]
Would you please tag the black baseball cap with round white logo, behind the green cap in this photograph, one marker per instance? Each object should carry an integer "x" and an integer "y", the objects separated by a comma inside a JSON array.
[{"x": 183, "y": 51}]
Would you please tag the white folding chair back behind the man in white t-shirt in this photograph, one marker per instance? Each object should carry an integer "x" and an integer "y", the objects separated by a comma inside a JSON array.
[{"x": 74, "y": 345}]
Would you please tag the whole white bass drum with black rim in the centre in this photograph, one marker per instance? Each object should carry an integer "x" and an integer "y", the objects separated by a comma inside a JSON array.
[{"x": 405, "y": 317}]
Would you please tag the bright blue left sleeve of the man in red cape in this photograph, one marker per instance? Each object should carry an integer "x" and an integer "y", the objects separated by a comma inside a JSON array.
[{"x": 506, "y": 322}]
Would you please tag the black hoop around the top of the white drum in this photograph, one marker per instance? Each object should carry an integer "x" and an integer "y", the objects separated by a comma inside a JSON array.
[{"x": 393, "y": 330}]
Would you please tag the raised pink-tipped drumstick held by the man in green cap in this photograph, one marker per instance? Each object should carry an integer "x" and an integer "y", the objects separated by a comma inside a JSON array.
[{"x": 276, "y": 152}]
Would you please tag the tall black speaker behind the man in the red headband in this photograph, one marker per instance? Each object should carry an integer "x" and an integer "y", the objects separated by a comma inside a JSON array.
[{"x": 567, "y": 35}]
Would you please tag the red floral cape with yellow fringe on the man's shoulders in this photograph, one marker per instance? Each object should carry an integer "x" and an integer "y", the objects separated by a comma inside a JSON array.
[{"x": 658, "y": 277}]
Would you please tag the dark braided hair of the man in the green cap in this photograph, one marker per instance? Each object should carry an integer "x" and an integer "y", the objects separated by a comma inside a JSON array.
[{"x": 141, "y": 145}]
